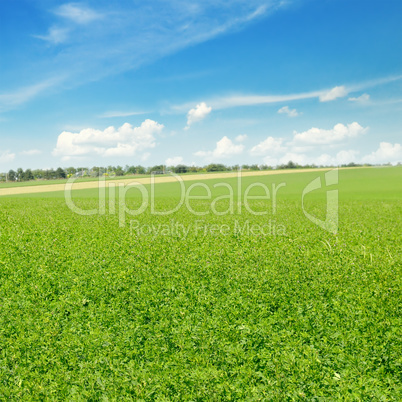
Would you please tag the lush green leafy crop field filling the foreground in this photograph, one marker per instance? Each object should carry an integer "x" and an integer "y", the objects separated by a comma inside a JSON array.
[{"x": 235, "y": 306}]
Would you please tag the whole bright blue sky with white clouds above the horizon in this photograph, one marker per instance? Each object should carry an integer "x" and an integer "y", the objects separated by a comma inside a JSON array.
[{"x": 100, "y": 83}]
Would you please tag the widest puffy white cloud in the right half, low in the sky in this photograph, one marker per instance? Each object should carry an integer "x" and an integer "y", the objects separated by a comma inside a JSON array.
[{"x": 319, "y": 136}]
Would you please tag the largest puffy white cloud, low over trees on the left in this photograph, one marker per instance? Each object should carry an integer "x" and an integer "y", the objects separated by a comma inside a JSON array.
[{"x": 125, "y": 141}]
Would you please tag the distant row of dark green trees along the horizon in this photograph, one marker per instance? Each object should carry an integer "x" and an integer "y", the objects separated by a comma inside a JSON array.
[{"x": 111, "y": 171}]
